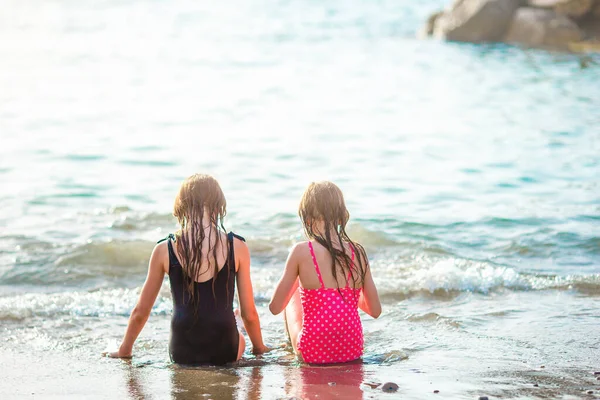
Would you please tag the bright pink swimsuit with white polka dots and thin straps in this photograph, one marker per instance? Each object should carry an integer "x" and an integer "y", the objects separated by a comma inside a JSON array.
[{"x": 331, "y": 327}]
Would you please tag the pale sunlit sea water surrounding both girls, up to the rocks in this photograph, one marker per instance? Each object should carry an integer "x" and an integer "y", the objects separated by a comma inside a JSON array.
[{"x": 471, "y": 174}]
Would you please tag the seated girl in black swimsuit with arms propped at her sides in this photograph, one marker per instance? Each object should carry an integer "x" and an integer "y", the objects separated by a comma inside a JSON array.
[{"x": 203, "y": 264}]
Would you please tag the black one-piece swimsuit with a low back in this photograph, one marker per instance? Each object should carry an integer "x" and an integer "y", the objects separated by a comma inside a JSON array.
[{"x": 207, "y": 334}]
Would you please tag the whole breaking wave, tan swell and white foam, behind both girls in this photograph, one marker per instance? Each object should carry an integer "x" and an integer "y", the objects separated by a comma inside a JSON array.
[{"x": 401, "y": 268}]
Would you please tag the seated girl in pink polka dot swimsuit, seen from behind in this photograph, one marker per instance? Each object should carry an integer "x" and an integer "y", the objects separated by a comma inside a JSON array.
[{"x": 326, "y": 280}]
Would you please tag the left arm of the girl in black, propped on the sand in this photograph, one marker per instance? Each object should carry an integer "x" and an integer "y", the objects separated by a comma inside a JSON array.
[{"x": 141, "y": 312}]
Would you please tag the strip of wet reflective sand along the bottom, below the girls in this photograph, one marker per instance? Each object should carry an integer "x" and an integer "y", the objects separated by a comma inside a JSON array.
[{"x": 74, "y": 375}]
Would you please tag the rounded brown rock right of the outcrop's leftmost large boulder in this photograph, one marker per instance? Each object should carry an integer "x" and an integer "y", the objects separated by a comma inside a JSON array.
[{"x": 542, "y": 28}]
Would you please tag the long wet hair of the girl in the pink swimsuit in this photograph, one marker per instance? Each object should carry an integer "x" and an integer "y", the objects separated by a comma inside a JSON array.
[{"x": 324, "y": 201}]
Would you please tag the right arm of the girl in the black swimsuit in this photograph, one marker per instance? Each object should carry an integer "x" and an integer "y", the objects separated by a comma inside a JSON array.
[{"x": 246, "y": 296}]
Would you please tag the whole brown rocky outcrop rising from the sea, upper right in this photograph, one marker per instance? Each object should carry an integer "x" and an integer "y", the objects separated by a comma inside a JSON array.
[{"x": 558, "y": 24}]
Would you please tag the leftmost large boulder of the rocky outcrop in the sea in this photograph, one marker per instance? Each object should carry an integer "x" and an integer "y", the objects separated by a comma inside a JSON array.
[{"x": 476, "y": 21}]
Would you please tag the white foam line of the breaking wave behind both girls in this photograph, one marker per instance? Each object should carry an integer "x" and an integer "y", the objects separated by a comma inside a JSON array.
[{"x": 440, "y": 280}]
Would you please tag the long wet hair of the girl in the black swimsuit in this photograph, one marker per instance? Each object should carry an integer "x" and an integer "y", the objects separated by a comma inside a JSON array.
[{"x": 200, "y": 199}]
